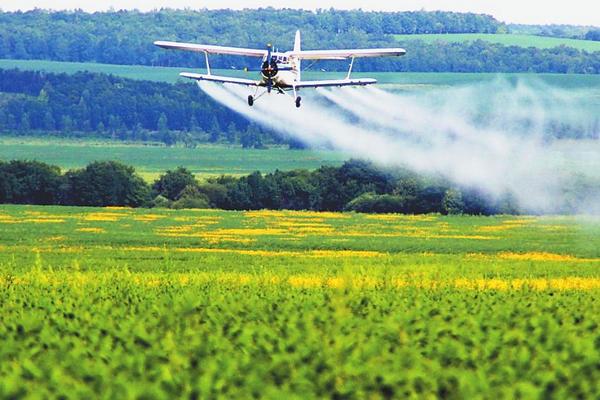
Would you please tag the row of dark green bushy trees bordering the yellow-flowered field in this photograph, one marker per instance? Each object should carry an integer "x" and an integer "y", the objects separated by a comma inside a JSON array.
[{"x": 355, "y": 186}]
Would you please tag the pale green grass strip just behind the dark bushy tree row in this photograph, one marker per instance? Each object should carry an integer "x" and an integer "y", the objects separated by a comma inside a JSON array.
[{"x": 151, "y": 160}]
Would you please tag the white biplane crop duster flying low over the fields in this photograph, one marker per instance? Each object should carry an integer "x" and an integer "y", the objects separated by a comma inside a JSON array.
[{"x": 281, "y": 71}]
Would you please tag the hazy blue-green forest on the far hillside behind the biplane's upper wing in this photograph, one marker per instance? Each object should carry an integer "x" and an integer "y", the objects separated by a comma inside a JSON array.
[{"x": 125, "y": 37}]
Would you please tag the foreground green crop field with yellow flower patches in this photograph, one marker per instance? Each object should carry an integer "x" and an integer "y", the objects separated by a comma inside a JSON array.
[{"x": 121, "y": 303}]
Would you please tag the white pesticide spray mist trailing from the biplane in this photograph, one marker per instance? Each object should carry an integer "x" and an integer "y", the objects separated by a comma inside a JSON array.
[{"x": 495, "y": 136}]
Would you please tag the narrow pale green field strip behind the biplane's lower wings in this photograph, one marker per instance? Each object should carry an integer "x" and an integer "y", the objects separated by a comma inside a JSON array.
[{"x": 417, "y": 80}]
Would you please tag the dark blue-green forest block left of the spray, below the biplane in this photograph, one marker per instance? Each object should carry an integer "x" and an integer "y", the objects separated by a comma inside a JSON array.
[{"x": 84, "y": 104}]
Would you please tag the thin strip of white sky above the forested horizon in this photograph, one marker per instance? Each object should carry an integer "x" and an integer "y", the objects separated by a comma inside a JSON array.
[{"x": 573, "y": 12}]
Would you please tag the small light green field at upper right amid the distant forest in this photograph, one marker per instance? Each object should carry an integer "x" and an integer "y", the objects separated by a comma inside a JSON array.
[{"x": 542, "y": 42}]
